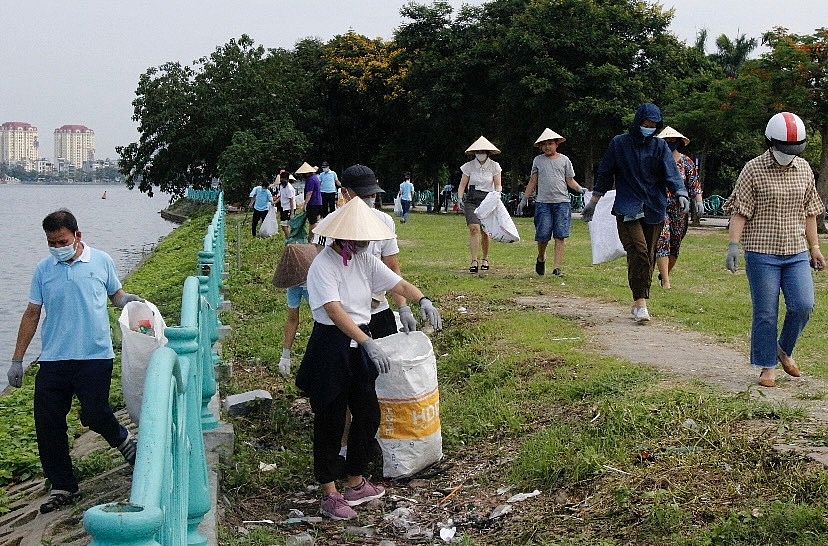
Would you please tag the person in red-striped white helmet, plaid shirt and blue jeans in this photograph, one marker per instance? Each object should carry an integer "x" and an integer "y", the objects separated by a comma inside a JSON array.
[{"x": 773, "y": 211}]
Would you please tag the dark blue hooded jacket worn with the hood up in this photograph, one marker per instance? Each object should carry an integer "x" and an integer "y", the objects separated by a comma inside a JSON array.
[{"x": 641, "y": 169}]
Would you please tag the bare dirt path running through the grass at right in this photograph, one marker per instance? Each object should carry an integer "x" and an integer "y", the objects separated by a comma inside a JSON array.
[{"x": 691, "y": 355}]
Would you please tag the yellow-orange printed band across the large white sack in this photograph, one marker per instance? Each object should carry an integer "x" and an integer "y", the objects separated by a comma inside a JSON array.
[{"x": 410, "y": 418}]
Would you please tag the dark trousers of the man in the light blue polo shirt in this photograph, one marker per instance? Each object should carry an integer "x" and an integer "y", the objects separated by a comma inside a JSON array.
[{"x": 55, "y": 384}]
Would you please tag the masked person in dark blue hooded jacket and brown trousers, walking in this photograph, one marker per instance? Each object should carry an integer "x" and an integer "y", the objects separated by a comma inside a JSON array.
[{"x": 641, "y": 168}]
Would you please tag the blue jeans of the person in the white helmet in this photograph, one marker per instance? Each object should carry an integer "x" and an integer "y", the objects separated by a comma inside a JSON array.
[{"x": 768, "y": 274}]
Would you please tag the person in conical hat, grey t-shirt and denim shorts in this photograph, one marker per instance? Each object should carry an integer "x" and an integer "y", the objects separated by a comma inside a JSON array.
[{"x": 552, "y": 173}]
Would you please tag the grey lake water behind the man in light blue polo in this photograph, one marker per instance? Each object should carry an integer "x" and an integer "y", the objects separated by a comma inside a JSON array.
[{"x": 127, "y": 225}]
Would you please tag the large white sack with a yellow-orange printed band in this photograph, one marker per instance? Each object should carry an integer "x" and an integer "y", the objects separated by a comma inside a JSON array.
[{"x": 409, "y": 432}]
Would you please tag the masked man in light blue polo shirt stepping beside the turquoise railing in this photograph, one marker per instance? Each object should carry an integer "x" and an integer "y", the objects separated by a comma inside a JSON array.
[{"x": 72, "y": 285}]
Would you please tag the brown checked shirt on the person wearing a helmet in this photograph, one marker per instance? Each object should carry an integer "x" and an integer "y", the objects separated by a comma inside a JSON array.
[{"x": 775, "y": 200}]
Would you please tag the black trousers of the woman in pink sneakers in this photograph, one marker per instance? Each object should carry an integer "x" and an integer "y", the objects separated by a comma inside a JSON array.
[{"x": 329, "y": 424}]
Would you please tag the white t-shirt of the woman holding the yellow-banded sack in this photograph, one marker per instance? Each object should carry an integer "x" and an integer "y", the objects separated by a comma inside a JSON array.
[{"x": 352, "y": 285}]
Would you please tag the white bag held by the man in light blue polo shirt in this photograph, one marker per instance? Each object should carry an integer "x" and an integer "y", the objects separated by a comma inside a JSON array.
[{"x": 142, "y": 331}]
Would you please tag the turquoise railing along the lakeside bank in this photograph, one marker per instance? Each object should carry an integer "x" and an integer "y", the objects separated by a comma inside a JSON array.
[{"x": 170, "y": 488}]
